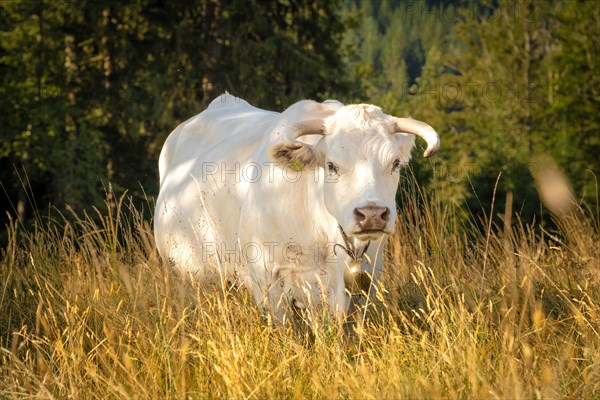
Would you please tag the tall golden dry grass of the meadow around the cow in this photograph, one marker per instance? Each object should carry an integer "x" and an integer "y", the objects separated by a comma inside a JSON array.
[{"x": 87, "y": 311}]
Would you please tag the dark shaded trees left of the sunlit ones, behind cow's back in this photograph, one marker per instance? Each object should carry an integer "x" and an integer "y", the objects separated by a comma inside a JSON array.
[{"x": 92, "y": 89}]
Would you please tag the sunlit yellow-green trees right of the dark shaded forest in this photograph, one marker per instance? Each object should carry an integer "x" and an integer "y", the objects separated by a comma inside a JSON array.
[{"x": 505, "y": 83}]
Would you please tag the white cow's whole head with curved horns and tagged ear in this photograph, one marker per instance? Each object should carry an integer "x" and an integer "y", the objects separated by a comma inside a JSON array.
[{"x": 361, "y": 152}]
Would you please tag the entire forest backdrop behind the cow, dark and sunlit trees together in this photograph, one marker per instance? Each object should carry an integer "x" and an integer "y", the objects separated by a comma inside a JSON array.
[{"x": 89, "y": 90}]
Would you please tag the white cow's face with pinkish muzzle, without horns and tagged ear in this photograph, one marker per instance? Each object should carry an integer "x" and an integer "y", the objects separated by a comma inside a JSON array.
[{"x": 361, "y": 159}]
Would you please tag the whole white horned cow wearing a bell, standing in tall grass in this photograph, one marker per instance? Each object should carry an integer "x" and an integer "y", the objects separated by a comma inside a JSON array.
[{"x": 297, "y": 205}]
